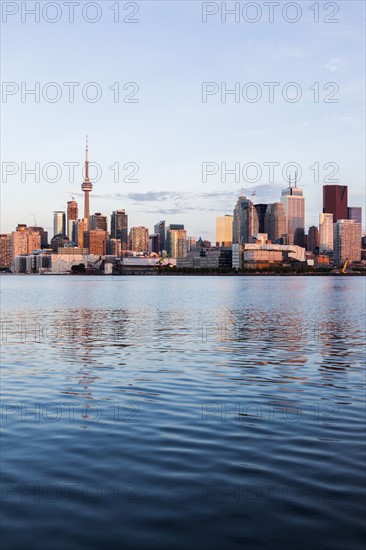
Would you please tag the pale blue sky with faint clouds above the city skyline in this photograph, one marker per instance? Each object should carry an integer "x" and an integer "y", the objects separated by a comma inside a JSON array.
[{"x": 149, "y": 90}]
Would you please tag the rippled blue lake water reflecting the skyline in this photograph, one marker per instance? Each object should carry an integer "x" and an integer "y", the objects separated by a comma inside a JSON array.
[{"x": 183, "y": 412}]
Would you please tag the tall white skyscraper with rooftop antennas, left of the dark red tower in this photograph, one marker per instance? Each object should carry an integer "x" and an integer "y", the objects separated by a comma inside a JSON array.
[{"x": 293, "y": 201}]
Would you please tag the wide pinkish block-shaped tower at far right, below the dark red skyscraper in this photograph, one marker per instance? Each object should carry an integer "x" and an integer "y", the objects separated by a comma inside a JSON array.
[{"x": 347, "y": 241}]
